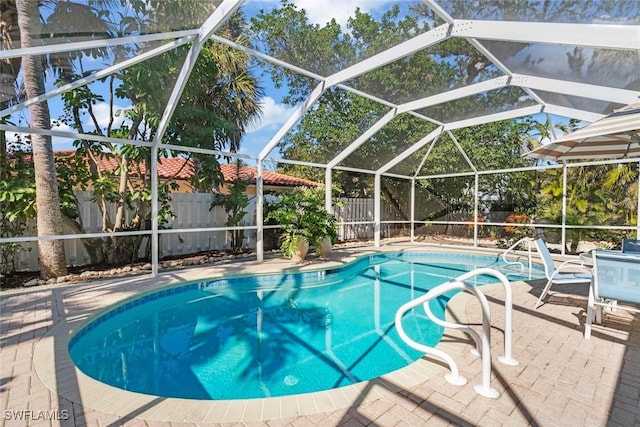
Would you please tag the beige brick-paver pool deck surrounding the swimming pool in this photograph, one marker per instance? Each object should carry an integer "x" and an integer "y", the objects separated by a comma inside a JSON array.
[{"x": 561, "y": 379}]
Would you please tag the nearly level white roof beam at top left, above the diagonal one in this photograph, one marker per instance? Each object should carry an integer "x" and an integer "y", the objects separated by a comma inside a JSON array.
[{"x": 94, "y": 44}]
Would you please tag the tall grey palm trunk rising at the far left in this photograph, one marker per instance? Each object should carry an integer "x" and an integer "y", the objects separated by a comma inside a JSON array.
[{"x": 49, "y": 219}]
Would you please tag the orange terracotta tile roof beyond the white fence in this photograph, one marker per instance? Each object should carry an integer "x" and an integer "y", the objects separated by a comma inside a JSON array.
[{"x": 180, "y": 168}]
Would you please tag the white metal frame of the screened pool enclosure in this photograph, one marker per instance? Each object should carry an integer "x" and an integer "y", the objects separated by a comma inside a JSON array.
[{"x": 479, "y": 33}]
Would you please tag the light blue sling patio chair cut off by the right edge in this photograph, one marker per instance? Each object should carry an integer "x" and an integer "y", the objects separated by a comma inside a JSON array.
[{"x": 616, "y": 280}]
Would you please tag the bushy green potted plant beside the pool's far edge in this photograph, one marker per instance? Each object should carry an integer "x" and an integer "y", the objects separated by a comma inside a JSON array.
[{"x": 304, "y": 222}]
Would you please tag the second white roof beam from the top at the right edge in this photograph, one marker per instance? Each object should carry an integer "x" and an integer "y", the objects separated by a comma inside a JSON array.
[{"x": 584, "y": 90}]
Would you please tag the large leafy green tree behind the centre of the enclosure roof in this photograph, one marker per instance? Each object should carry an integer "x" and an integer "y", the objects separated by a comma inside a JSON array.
[{"x": 340, "y": 117}]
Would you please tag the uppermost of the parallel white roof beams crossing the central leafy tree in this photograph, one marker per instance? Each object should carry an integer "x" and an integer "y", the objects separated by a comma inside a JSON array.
[{"x": 409, "y": 47}]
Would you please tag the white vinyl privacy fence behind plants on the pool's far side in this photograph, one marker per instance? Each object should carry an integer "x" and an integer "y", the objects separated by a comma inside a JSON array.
[{"x": 192, "y": 211}]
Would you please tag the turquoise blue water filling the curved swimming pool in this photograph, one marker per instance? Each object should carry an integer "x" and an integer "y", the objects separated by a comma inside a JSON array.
[{"x": 263, "y": 336}]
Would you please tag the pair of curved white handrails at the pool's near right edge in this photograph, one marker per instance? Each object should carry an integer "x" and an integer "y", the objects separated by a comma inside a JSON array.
[{"x": 454, "y": 377}]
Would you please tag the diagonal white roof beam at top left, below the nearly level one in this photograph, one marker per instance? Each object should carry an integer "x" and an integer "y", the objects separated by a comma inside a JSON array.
[{"x": 97, "y": 75}]
